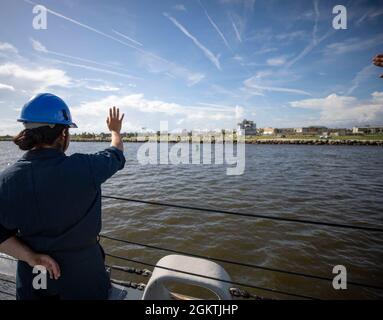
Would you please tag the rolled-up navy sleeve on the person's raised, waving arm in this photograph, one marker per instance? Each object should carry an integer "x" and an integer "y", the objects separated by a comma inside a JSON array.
[{"x": 106, "y": 163}]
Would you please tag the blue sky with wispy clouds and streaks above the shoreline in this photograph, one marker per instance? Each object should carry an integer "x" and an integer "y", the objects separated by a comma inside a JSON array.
[{"x": 197, "y": 64}]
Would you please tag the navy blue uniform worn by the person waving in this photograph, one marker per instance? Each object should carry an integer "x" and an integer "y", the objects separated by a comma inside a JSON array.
[{"x": 53, "y": 202}]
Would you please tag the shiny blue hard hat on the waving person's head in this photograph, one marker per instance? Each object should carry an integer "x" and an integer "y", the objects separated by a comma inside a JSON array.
[{"x": 46, "y": 108}]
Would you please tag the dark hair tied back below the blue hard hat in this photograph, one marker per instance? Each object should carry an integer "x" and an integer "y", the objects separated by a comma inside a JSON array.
[{"x": 31, "y": 138}]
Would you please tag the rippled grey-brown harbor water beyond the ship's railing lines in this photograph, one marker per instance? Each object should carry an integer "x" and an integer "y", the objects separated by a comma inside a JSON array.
[{"x": 341, "y": 184}]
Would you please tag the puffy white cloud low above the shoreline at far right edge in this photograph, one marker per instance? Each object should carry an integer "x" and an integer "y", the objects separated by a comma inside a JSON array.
[{"x": 336, "y": 109}]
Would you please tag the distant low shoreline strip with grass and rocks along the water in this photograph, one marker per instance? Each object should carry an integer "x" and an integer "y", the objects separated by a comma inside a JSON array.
[{"x": 251, "y": 140}]
